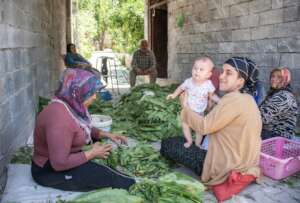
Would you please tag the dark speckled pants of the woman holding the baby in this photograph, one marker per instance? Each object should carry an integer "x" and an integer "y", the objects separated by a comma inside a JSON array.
[{"x": 192, "y": 157}]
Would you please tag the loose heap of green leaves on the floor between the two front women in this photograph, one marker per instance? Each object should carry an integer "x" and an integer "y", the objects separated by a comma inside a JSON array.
[{"x": 142, "y": 161}]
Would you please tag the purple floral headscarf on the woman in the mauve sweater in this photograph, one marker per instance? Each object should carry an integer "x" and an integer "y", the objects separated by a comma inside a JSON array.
[{"x": 75, "y": 87}]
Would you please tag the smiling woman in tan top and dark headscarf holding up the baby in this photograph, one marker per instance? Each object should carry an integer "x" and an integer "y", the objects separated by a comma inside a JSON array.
[{"x": 234, "y": 125}]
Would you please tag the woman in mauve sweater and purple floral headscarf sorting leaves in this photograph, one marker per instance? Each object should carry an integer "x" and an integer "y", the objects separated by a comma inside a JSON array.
[{"x": 62, "y": 129}]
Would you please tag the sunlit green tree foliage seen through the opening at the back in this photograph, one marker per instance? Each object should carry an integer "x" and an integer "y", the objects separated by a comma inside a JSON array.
[{"x": 120, "y": 22}]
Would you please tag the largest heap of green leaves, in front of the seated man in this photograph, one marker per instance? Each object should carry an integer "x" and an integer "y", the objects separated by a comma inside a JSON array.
[{"x": 144, "y": 114}]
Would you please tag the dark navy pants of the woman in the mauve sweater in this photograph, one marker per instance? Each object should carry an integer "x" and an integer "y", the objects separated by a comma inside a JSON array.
[{"x": 86, "y": 177}]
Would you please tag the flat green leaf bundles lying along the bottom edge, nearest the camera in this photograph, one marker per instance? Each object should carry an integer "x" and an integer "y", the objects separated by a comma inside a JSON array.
[{"x": 170, "y": 188}]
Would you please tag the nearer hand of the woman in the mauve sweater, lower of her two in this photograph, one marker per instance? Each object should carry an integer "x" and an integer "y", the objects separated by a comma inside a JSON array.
[{"x": 98, "y": 151}]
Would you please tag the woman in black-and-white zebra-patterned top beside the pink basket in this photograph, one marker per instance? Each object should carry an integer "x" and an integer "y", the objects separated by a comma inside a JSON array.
[{"x": 279, "y": 109}]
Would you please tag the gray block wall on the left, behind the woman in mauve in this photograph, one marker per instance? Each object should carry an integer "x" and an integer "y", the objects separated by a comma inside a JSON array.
[{"x": 32, "y": 38}]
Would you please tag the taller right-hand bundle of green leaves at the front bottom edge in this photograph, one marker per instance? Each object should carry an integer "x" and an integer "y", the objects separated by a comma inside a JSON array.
[{"x": 171, "y": 188}]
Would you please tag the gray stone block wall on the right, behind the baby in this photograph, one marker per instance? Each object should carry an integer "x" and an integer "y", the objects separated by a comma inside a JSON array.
[{"x": 267, "y": 31}]
